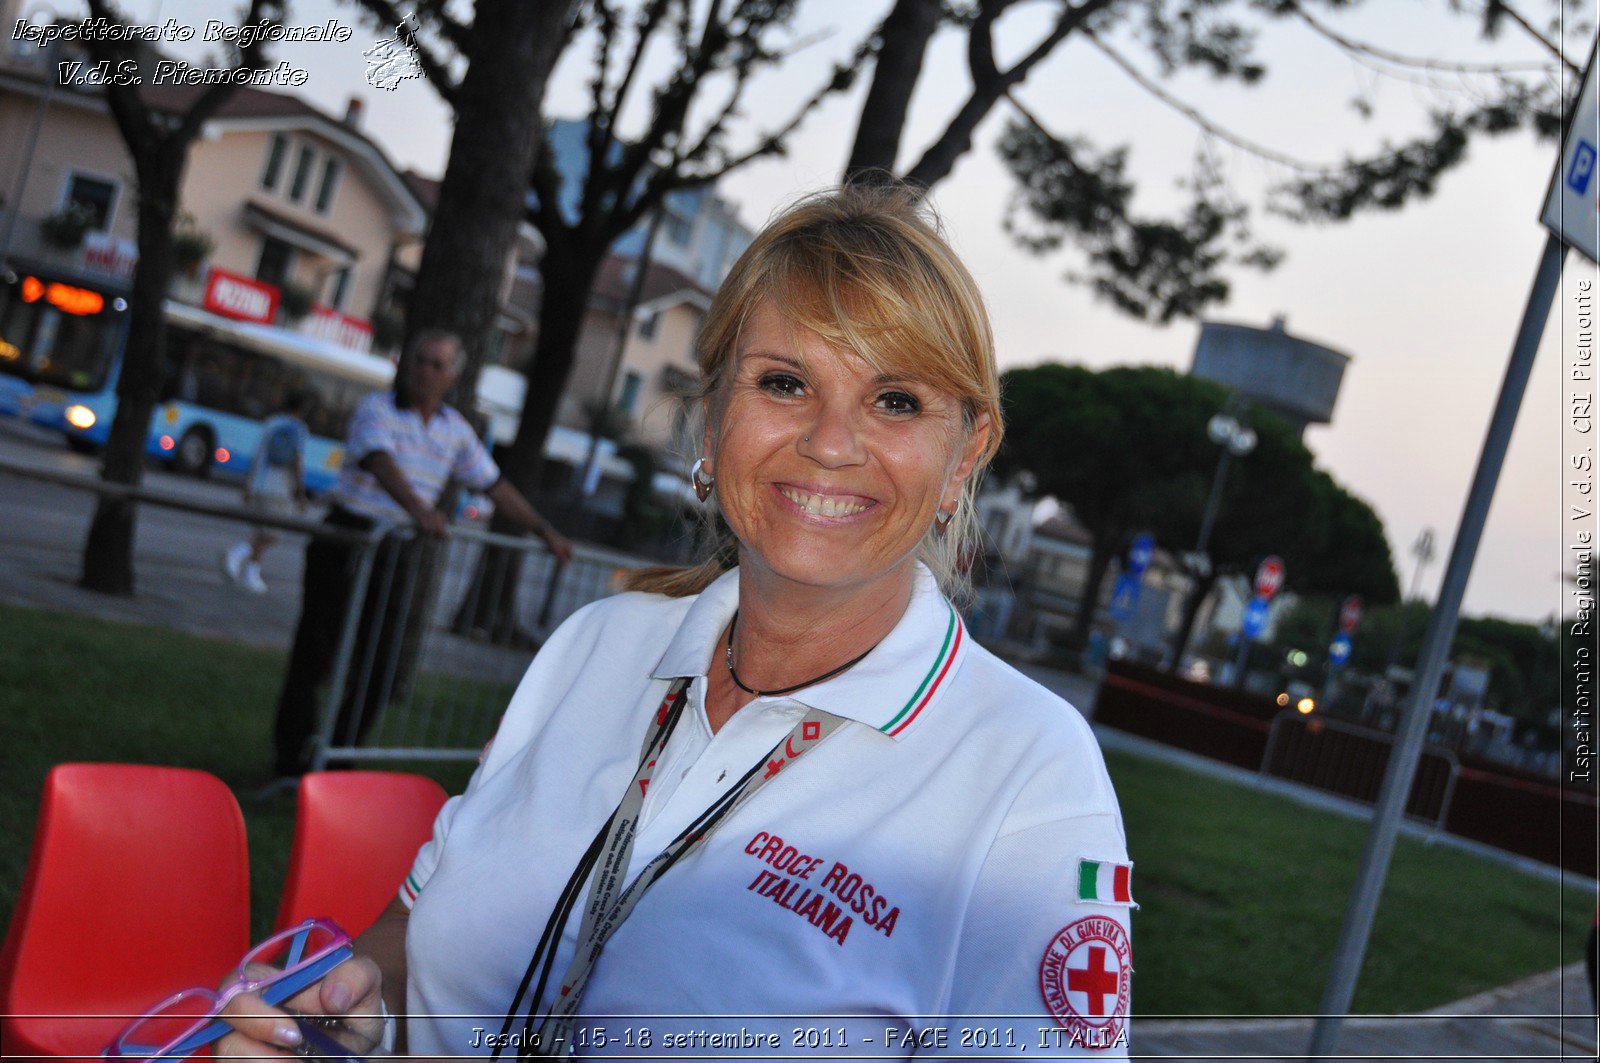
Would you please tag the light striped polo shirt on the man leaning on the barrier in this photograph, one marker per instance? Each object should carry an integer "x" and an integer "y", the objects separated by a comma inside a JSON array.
[{"x": 430, "y": 455}]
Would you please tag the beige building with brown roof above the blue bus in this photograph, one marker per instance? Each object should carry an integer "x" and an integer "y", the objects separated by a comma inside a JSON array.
[{"x": 276, "y": 193}]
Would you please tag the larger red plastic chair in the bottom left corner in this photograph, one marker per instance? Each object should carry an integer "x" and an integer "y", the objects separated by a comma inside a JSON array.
[{"x": 138, "y": 886}]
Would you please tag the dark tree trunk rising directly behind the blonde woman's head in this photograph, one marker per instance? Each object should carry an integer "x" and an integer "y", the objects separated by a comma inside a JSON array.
[{"x": 905, "y": 46}]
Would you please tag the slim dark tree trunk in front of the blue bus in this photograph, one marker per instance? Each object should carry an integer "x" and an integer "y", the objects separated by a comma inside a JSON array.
[{"x": 108, "y": 553}]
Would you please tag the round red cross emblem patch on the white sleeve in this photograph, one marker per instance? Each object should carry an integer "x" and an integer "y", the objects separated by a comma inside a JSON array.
[{"x": 1086, "y": 982}]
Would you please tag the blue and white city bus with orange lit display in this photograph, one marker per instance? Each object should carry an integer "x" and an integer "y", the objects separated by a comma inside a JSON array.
[{"x": 60, "y": 359}]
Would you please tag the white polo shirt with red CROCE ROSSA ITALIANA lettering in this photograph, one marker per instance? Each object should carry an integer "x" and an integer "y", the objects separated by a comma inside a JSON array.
[{"x": 911, "y": 886}]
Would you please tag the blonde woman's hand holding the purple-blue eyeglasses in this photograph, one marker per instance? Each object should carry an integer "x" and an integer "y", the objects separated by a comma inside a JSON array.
[{"x": 350, "y": 992}]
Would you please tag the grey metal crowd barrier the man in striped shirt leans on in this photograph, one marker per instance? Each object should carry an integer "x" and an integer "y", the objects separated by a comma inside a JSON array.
[{"x": 442, "y": 691}]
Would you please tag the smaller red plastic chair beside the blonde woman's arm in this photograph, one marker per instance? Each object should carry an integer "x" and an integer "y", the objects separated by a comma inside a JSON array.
[{"x": 356, "y": 836}]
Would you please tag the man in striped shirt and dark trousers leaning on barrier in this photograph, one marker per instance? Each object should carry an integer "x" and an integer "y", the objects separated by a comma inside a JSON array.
[{"x": 402, "y": 451}]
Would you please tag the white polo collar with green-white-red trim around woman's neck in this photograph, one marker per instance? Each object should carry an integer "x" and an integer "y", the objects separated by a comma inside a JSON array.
[{"x": 889, "y": 691}]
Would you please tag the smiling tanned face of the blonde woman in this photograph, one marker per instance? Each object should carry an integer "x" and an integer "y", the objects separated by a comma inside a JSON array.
[{"x": 828, "y": 473}]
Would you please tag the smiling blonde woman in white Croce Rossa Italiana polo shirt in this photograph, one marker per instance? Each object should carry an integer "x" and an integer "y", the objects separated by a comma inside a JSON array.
[{"x": 846, "y": 827}]
